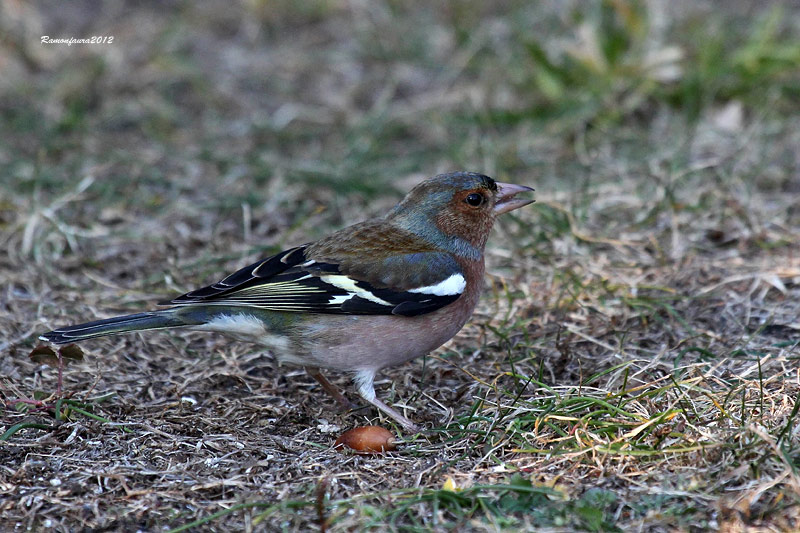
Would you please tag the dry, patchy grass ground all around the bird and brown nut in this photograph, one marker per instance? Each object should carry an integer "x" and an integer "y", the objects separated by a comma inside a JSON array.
[{"x": 632, "y": 366}]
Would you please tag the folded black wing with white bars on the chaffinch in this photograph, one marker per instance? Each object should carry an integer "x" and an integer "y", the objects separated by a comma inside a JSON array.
[{"x": 295, "y": 280}]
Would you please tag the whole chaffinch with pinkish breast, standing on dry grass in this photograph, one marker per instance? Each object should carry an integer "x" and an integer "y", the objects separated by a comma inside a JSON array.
[{"x": 372, "y": 295}]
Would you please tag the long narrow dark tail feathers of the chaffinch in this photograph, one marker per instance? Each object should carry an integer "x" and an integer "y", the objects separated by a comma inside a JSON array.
[{"x": 167, "y": 318}]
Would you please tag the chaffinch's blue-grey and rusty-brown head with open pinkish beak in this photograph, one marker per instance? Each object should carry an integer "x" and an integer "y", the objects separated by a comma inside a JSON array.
[{"x": 457, "y": 210}]
